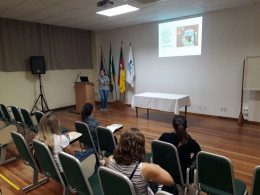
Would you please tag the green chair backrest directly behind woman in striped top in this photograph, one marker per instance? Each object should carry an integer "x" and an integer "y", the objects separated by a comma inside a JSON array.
[{"x": 113, "y": 182}]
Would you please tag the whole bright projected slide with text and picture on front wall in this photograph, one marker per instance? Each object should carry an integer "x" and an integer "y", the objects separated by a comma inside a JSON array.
[{"x": 180, "y": 38}]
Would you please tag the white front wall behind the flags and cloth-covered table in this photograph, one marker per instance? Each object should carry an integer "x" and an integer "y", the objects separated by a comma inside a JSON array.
[{"x": 213, "y": 80}]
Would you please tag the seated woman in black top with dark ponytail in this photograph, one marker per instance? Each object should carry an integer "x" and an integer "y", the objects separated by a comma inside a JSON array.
[{"x": 183, "y": 141}]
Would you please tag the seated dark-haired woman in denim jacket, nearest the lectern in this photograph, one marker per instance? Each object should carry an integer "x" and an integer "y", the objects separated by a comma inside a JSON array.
[{"x": 87, "y": 117}]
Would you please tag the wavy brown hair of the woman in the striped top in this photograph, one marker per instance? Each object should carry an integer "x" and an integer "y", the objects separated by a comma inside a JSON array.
[{"x": 131, "y": 147}]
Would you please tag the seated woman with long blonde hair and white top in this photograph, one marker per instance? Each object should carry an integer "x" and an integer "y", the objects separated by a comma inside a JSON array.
[{"x": 50, "y": 134}]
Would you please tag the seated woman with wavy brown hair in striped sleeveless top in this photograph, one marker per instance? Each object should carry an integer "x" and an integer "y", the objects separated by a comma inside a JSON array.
[{"x": 130, "y": 153}]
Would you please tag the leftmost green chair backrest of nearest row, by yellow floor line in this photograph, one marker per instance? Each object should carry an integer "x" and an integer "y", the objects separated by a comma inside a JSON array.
[{"x": 24, "y": 151}]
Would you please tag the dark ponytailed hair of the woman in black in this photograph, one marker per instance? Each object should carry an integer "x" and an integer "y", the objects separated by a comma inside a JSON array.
[{"x": 179, "y": 123}]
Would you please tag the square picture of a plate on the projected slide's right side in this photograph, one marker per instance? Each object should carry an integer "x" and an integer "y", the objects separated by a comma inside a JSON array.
[{"x": 187, "y": 36}]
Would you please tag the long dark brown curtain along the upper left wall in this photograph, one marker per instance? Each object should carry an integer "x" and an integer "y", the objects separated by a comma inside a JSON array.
[{"x": 63, "y": 48}]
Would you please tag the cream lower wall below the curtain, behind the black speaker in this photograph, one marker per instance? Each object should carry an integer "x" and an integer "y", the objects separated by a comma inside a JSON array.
[{"x": 21, "y": 89}]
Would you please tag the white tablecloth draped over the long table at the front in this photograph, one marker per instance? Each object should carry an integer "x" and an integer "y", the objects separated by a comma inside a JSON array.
[{"x": 161, "y": 101}]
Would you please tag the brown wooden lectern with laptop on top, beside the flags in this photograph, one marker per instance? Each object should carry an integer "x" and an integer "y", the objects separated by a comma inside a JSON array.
[{"x": 84, "y": 93}]
